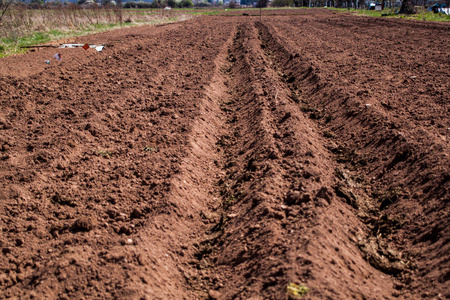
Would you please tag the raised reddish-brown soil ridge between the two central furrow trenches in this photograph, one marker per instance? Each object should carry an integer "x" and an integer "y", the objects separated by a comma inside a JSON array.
[{"x": 282, "y": 216}]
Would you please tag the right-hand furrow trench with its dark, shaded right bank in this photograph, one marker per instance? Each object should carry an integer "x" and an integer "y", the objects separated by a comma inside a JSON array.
[{"x": 380, "y": 161}]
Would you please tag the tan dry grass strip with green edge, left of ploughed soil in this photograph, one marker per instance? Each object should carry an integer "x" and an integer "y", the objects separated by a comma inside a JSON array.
[{"x": 22, "y": 26}]
